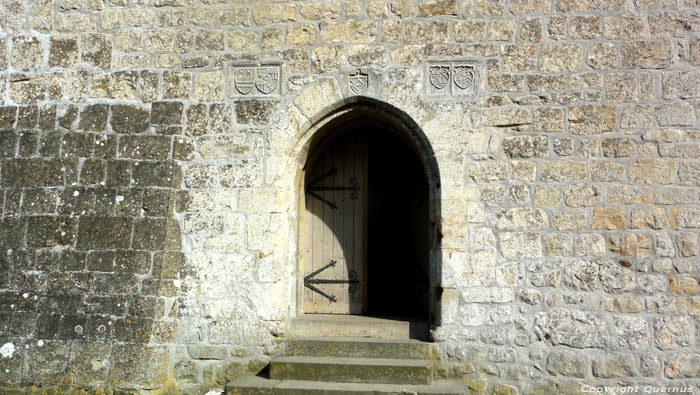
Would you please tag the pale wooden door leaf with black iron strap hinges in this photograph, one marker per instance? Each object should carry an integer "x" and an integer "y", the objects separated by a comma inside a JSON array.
[{"x": 334, "y": 228}]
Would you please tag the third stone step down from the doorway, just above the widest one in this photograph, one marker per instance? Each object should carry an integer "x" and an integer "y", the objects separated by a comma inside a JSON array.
[{"x": 352, "y": 370}]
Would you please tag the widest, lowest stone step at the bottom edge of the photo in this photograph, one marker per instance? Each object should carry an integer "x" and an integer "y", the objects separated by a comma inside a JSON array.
[{"x": 254, "y": 385}]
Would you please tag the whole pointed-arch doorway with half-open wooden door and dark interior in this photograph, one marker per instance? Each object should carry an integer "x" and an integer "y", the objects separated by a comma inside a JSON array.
[{"x": 367, "y": 223}]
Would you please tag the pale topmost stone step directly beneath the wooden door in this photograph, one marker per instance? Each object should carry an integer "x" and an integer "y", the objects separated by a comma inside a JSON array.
[{"x": 329, "y": 325}]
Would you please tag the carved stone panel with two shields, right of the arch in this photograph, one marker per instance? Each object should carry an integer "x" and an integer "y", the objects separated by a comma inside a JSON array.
[{"x": 452, "y": 79}]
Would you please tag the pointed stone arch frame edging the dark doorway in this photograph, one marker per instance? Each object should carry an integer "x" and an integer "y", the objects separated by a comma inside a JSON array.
[{"x": 322, "y": 129}]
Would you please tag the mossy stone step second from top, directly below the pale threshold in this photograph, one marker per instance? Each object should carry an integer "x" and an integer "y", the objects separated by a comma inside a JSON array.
[{"x": 358, "y": 348}]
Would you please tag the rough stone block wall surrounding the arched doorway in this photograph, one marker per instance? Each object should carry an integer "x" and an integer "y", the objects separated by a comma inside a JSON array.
[{"x": 148, "y": 217}]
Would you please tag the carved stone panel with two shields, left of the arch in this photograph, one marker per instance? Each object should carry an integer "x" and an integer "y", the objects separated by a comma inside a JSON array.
[{"x": 251, "y": 80}]
